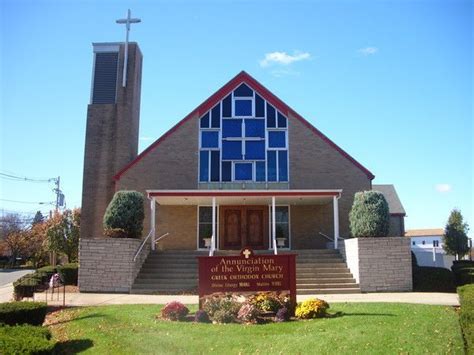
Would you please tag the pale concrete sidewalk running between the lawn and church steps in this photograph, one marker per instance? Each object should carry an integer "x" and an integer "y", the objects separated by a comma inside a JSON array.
[{"x": 97, "y": 299}]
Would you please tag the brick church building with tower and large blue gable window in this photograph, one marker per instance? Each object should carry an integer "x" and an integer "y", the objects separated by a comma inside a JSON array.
[{"x": 243, "y": 169}]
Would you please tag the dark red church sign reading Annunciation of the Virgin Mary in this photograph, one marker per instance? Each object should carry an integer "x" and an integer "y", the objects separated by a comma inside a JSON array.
[{"x": 247, "y": 272}]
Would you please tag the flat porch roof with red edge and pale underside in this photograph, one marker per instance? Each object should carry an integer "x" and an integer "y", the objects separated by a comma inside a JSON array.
[{"x": 243, "y": 197}]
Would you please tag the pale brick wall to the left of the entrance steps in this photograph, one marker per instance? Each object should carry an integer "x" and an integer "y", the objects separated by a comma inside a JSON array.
[{"x": 106, "y": 264}]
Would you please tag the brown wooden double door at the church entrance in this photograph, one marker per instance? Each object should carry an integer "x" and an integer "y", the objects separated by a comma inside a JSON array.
[{"x": 243, "y": 226}]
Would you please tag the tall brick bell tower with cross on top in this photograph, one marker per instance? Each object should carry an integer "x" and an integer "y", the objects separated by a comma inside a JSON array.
[{"x": 112, "y": 127}]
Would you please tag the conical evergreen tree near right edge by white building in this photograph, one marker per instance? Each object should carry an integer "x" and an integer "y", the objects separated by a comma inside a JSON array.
[{"x": 455, "y": 241}]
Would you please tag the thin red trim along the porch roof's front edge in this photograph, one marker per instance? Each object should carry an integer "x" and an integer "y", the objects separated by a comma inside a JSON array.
[{"x": 242, "y": 193}]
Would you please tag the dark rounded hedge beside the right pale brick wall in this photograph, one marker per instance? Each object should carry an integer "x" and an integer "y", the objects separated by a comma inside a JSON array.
[{"x": 433, "y": 279}]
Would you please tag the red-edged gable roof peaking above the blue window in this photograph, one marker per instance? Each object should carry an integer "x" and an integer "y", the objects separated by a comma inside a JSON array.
[{"x": 220, "y": 94}]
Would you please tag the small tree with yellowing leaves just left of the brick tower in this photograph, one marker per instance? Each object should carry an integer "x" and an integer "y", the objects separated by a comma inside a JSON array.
[{"x": 63, "y": 233}]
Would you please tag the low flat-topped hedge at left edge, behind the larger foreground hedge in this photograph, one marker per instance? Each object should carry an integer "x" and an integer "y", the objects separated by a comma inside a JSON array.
[{"x": 12, "y": 313}]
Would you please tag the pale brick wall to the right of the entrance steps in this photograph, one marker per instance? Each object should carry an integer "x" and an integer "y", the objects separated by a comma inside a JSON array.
[{"x": 379, "y": 264}]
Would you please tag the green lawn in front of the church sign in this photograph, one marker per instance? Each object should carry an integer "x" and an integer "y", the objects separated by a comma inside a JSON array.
[{"x": 378, "y": 328}]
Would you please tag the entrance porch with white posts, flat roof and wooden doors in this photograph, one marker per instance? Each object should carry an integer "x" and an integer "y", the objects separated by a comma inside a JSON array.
[{"x": 214, "y": 220}]
